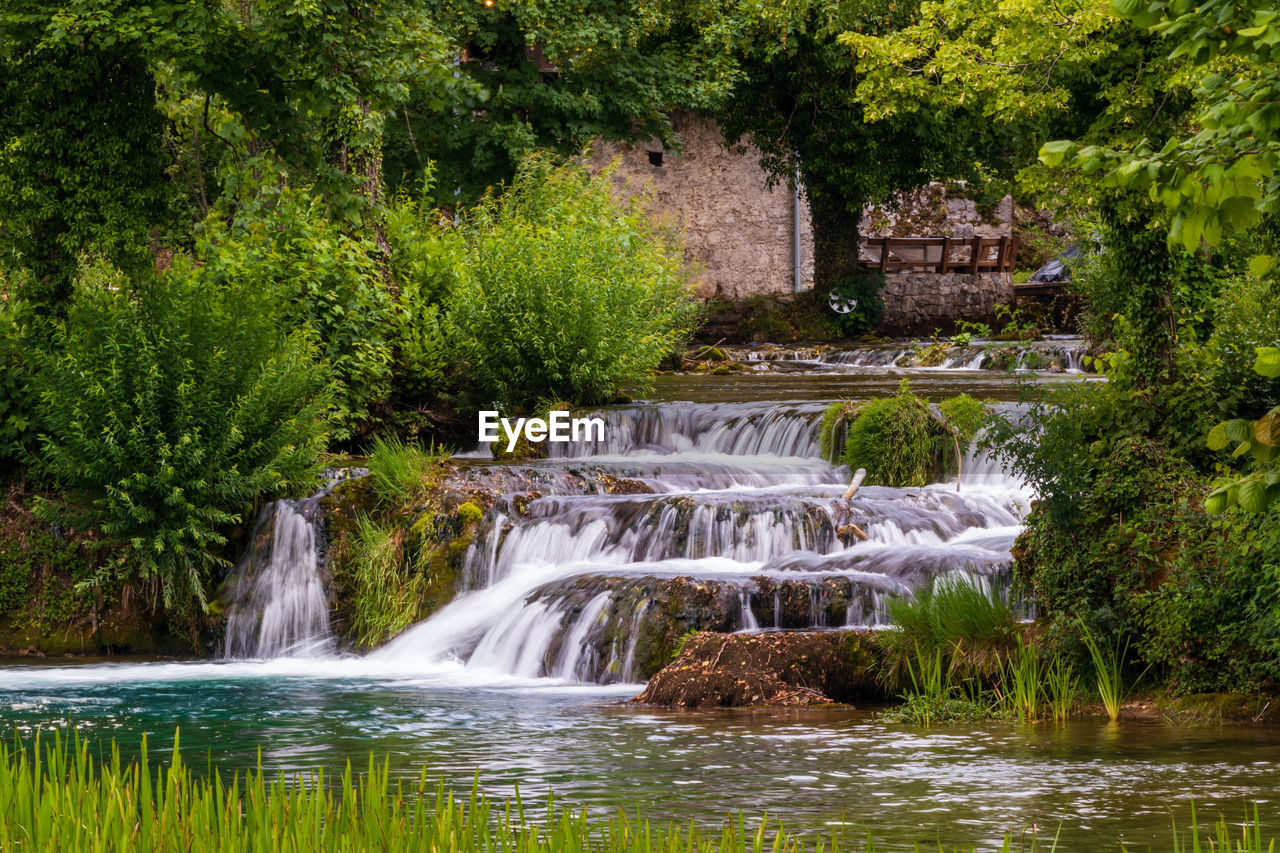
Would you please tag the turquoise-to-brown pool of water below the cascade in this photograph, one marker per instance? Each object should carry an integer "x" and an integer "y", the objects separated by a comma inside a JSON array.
[{"x": 812, "y": 769}]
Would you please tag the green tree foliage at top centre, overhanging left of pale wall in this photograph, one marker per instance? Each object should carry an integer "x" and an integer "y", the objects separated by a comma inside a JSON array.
[{"x": 546, "y": 77}]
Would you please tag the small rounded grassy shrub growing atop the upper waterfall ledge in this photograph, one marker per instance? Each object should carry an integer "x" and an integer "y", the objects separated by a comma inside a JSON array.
[{"x": 897, "y": 440}]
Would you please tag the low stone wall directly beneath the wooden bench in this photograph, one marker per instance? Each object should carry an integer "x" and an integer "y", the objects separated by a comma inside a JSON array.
[{"x": 920, "y": 303}]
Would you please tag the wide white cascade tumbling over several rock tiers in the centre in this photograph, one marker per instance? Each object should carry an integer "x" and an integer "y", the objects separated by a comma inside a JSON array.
[{"x": 737, "y": 524}]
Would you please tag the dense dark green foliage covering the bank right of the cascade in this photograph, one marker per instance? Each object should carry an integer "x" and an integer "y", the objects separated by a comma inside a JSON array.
[{"x": 1122, "y": 537}]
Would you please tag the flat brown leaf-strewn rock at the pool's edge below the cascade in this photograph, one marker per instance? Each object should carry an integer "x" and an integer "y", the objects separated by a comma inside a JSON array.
[{"x": 769, "y": 669}]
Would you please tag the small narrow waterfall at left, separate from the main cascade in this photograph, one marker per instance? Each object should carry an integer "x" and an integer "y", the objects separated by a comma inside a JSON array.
[{"x": 278, "y": 606}]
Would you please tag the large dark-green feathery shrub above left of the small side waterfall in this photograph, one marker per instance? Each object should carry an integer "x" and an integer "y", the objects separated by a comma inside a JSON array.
[{"x": 170, "y": 409}]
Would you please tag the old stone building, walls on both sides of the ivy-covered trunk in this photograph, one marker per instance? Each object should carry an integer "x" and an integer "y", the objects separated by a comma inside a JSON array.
[{"x": 751, "y": 239}]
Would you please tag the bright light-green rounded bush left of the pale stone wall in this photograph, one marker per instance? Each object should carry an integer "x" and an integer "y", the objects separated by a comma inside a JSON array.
[{"x": 569, "y": 294}]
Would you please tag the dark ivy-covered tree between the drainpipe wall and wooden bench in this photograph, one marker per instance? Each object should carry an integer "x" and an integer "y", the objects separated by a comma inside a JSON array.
[{"x": 796, "y": 99}]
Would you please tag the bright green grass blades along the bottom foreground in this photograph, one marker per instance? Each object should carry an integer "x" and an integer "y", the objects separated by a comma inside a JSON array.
[{"x": 57, "y": 797}]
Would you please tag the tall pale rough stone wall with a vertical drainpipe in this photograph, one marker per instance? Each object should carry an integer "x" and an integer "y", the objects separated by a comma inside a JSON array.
[{"x": 738, "y": 230}]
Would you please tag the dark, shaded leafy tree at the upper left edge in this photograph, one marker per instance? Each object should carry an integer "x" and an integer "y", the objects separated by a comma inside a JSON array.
[{"x": 81, "y": 166}]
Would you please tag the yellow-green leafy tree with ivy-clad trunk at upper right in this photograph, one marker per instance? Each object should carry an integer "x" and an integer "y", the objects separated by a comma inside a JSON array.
[{"x": 1037, "y": 71}]
